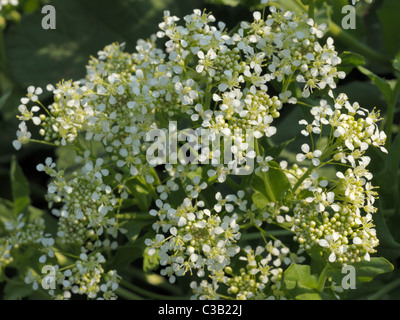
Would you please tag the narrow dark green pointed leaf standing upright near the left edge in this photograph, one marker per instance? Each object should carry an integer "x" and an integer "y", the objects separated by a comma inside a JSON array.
[{"x": 20, "y": 188}]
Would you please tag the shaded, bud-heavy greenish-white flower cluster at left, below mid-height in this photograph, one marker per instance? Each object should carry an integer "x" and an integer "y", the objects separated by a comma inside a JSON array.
[{"x": 86, "y": 200}]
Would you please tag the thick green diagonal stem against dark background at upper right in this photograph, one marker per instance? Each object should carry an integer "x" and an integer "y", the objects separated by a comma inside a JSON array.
[{"x": 339, "y": 34}]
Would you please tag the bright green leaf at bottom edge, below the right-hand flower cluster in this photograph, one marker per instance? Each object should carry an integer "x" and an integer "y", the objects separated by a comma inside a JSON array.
[{"x": 300, "y": 283}]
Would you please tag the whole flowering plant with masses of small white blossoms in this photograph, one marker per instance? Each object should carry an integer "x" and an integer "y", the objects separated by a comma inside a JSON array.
[{"x": 166, "y": 155}]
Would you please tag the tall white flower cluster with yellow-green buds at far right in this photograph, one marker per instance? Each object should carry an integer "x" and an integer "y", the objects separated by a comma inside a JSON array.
[{"x": 338, "y": 215}]
